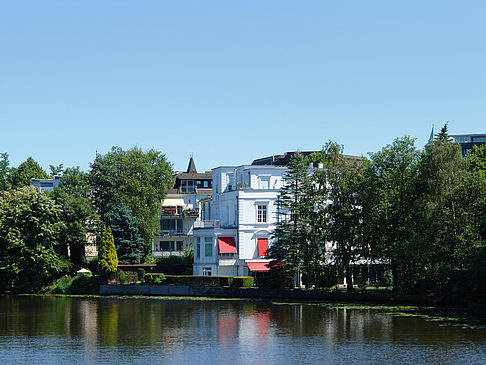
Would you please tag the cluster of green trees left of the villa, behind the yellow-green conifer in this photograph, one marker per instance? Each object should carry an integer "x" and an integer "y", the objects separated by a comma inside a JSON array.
[{"x": 43, "y": 235}]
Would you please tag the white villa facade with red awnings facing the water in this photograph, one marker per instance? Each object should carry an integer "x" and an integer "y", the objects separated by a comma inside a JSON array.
[{"x": 243, "y": 212}]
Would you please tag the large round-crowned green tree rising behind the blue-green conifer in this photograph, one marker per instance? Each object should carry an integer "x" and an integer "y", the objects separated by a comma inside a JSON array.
[{"x": 136, "y": 178}]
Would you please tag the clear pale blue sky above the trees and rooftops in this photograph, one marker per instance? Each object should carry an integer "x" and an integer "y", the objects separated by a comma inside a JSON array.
[{"x": 231, "y": 81}]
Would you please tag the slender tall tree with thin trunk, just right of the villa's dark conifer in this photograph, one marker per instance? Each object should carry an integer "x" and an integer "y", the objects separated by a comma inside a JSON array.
[{"x": 344, "y": 207}]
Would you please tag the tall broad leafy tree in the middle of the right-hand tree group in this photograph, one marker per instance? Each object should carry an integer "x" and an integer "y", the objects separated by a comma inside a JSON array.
[{"x": 392, "y": 191}]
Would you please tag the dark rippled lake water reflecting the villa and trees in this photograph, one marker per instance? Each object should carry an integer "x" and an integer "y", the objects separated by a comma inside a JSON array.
[{"x": 50, "y": 329}]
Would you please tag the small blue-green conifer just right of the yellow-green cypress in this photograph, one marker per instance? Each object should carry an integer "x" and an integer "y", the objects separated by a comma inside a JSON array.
[{"x": 129, "y": 244}]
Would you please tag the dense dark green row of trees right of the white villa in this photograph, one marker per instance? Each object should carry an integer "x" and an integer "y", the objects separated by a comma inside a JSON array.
[{"x": 420, "y": 213}]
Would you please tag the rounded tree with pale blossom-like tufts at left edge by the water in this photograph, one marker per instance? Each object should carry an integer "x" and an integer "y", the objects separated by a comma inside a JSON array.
[{"x": 30, "y": 241}]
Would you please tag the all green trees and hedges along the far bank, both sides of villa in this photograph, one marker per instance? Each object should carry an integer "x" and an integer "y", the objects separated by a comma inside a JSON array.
[{"x": 418, "y": 216}]
